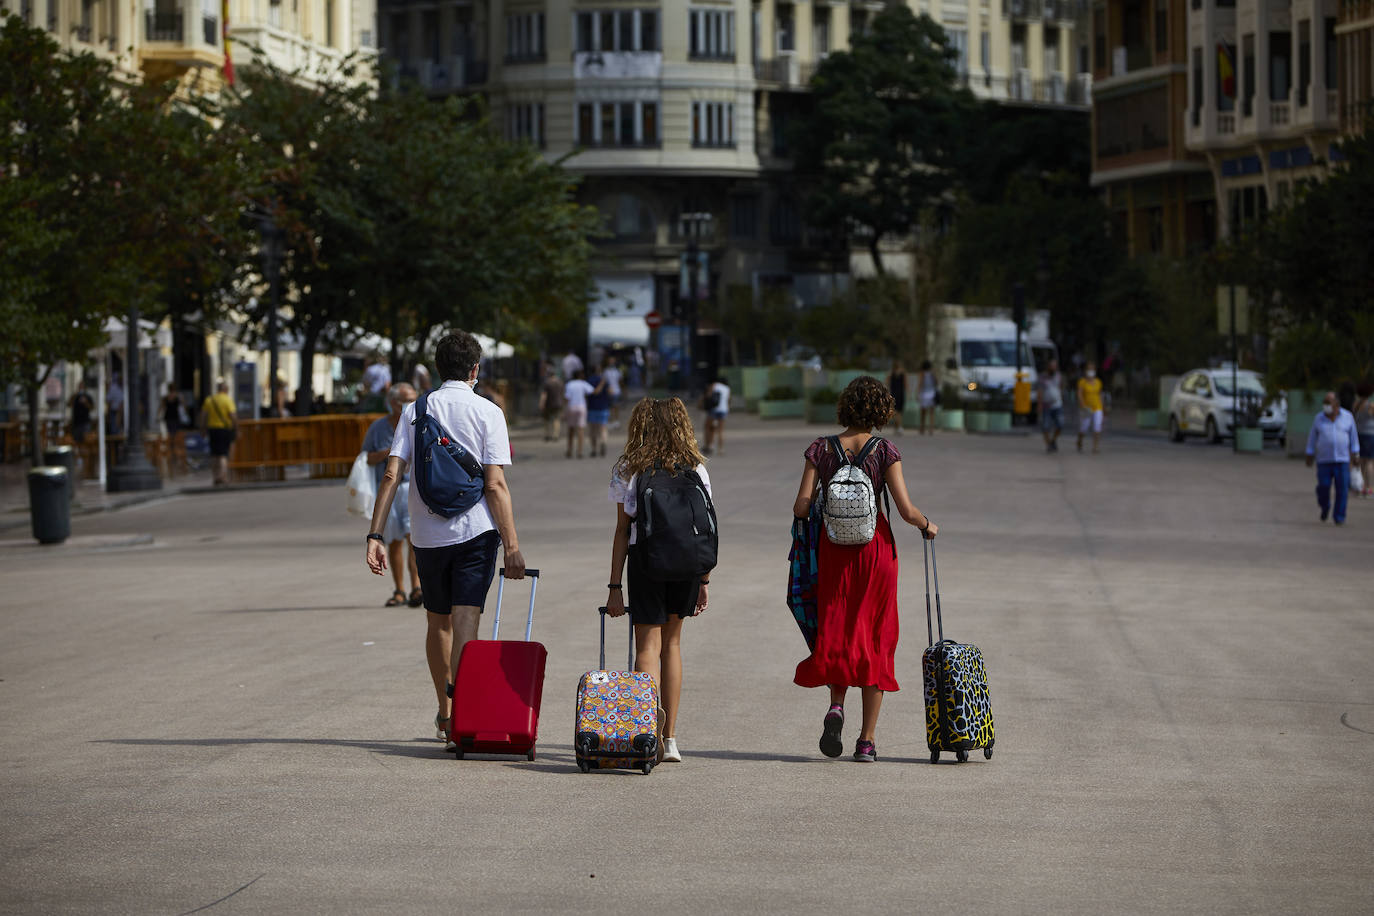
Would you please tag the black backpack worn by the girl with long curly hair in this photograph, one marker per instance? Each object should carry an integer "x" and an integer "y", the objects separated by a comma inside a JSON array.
[{"x": 675, "y": 525}]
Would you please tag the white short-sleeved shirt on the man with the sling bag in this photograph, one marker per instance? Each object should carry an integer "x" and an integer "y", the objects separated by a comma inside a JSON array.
[{"x": 480, "y": 428}]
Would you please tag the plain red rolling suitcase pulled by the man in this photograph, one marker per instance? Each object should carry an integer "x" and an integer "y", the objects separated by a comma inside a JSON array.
[{"x": 498, "y": 690}]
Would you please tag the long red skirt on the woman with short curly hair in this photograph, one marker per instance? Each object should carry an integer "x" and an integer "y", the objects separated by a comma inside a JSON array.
[{"x": 857, "y": 616}]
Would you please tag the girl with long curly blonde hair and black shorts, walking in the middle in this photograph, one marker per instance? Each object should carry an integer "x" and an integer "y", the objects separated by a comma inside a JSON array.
[{"x": 660, "y": 436}]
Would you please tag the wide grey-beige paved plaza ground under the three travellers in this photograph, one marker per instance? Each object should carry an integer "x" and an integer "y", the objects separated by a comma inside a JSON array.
[{"x": 207, "y": 708}]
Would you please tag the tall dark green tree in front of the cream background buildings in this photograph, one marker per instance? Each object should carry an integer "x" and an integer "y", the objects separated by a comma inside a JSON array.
[{"x": 887, "y": 128}]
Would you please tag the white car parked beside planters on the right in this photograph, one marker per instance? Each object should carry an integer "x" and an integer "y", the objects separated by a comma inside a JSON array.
[{"x": 1203, "y": 406}]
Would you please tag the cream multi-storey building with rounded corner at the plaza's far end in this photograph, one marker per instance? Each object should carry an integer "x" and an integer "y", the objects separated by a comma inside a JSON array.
[{"x": 678, "y": 117}]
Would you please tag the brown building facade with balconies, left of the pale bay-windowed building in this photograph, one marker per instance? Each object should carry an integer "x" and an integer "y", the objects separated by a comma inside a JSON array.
[{"x": 1160, "y": 194}]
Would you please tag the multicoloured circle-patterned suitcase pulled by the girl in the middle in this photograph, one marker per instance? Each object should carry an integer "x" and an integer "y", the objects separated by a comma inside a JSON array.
[{"x": 618, "y": 716}]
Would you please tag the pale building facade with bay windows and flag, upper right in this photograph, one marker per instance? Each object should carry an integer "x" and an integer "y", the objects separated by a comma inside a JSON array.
[{"x": 1263, "y": 101}]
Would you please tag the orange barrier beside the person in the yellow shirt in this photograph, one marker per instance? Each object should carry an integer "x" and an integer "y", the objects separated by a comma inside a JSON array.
[{"x": 326, "y": 444}]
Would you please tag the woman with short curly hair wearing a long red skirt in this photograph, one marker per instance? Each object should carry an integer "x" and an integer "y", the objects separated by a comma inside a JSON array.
[{"x": 857, "y": 605}]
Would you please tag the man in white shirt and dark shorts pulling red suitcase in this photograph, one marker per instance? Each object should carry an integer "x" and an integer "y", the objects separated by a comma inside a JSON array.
[{"x": 457, "y": 557}]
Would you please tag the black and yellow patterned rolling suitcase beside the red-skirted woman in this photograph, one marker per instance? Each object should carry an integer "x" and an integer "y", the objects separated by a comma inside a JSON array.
[{"x": 958, "y": 711}]
